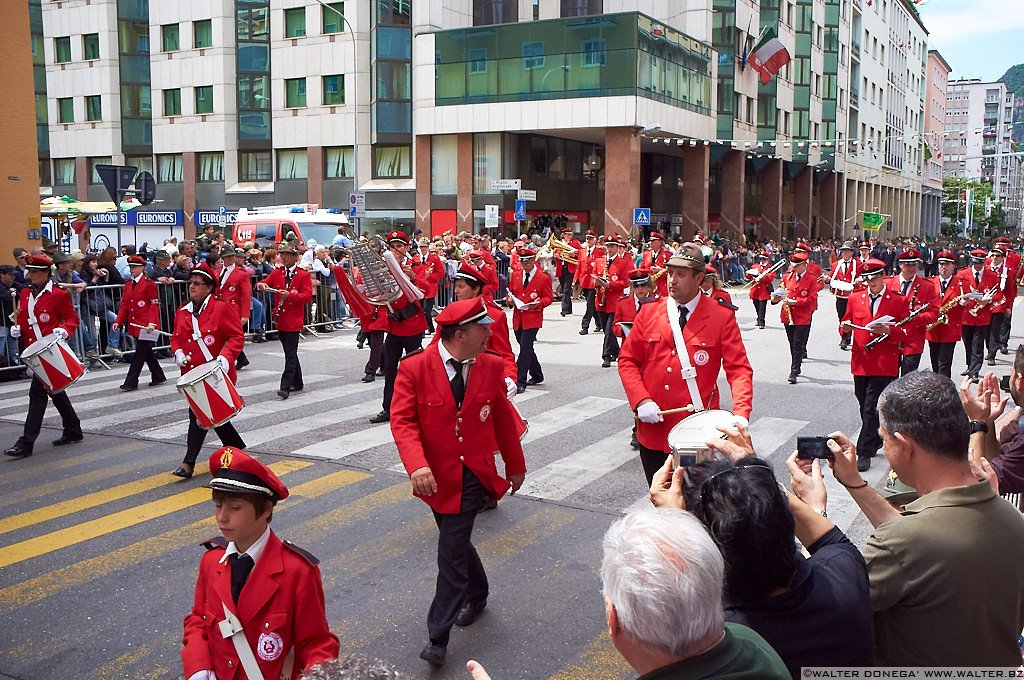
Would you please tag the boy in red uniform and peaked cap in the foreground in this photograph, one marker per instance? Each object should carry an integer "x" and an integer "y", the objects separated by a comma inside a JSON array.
[{"x": 260, "y": 602}]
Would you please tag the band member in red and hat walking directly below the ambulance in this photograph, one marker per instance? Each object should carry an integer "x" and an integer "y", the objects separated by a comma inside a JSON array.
[{"x": 295, "y": 291}]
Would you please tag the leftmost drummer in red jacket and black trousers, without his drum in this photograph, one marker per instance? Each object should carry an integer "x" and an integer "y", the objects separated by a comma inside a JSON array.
[{"x": 45, "y": 309}]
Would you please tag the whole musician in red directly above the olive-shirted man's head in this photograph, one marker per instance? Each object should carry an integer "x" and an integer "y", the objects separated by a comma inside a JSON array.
[{"x": 876, "y": 368}]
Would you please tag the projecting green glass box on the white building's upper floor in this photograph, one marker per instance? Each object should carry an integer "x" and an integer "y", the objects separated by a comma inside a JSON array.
[{"x": 616, "y": 55}]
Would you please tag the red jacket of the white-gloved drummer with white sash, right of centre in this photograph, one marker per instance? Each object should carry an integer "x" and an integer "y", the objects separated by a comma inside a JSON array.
[{"x": 650, "y": 369}]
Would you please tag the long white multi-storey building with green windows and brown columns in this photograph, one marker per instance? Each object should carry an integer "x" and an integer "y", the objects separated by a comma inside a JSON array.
[{"x": 600, "y": 106}]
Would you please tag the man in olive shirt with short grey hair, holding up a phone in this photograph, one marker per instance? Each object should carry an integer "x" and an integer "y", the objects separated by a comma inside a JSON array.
[{"x": 946, "y": 578}]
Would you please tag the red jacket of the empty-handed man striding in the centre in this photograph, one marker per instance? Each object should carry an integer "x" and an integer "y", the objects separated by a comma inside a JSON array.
[{"x": 432, "y": 433}]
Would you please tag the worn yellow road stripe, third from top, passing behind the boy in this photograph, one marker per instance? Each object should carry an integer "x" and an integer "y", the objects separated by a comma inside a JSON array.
[{"x": 54, "y": 582}]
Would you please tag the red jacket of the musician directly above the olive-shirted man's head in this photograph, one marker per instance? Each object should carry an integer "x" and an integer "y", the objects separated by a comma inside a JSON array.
[{"x": 883, "y": 360}]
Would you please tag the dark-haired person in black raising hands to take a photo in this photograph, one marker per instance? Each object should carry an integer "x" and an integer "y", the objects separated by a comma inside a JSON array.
[{"x": 815, "y": 611}]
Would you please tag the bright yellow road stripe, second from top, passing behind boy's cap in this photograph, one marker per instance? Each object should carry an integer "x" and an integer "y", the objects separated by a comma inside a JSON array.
[{"x": 71, "y": 536}]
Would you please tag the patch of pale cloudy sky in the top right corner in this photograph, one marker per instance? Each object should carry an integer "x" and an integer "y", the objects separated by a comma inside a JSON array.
[{"x": 978, "y": 38}]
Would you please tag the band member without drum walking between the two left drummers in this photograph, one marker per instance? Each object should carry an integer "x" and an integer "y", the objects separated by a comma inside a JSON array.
[{"x": 140, "y": 308}]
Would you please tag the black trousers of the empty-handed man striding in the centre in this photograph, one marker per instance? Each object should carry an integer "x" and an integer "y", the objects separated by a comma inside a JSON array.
[{"x": 461, "y": 577}]
